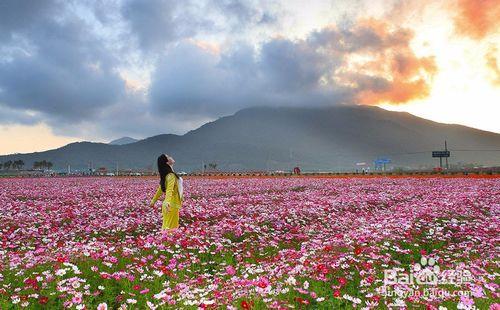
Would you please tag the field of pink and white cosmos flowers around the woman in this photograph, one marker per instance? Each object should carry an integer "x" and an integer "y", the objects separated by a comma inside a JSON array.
[{"x": 251, "y": 243}]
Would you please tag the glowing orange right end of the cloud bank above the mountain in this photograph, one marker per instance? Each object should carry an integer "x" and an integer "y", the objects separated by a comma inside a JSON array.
[{"x": 386, "y": 70}]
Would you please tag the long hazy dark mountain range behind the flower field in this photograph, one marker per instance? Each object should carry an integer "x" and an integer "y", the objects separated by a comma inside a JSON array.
[{"x": 329, "y": 138}]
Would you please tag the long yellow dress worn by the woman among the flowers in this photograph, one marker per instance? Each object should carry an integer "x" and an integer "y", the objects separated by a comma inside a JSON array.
[{"x": 172, "y": 203}]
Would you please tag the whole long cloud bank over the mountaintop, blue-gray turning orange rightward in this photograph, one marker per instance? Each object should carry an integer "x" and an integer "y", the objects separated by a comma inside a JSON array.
[{"x": 369, "y": 63}]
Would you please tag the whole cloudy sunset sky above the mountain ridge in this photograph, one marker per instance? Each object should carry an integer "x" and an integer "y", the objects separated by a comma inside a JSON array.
[{"x": 99, "y": 70}]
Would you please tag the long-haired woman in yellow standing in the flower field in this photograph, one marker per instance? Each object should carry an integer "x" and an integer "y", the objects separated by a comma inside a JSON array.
[{"x": 171, "y": 185}]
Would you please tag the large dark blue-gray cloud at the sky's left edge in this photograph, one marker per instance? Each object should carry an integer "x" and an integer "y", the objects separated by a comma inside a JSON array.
[{"x": 60, "y": 70}]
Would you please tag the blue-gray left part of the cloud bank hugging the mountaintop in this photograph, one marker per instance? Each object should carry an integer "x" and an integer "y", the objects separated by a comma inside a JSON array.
[{"x": 191, "y": 80}]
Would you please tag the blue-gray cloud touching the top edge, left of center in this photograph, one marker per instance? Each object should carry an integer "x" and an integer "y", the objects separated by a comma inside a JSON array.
[{"x": 156, "y": 23}]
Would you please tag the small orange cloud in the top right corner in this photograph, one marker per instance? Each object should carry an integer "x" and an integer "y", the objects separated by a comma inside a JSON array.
[{"x": 477, "y": 18}]
